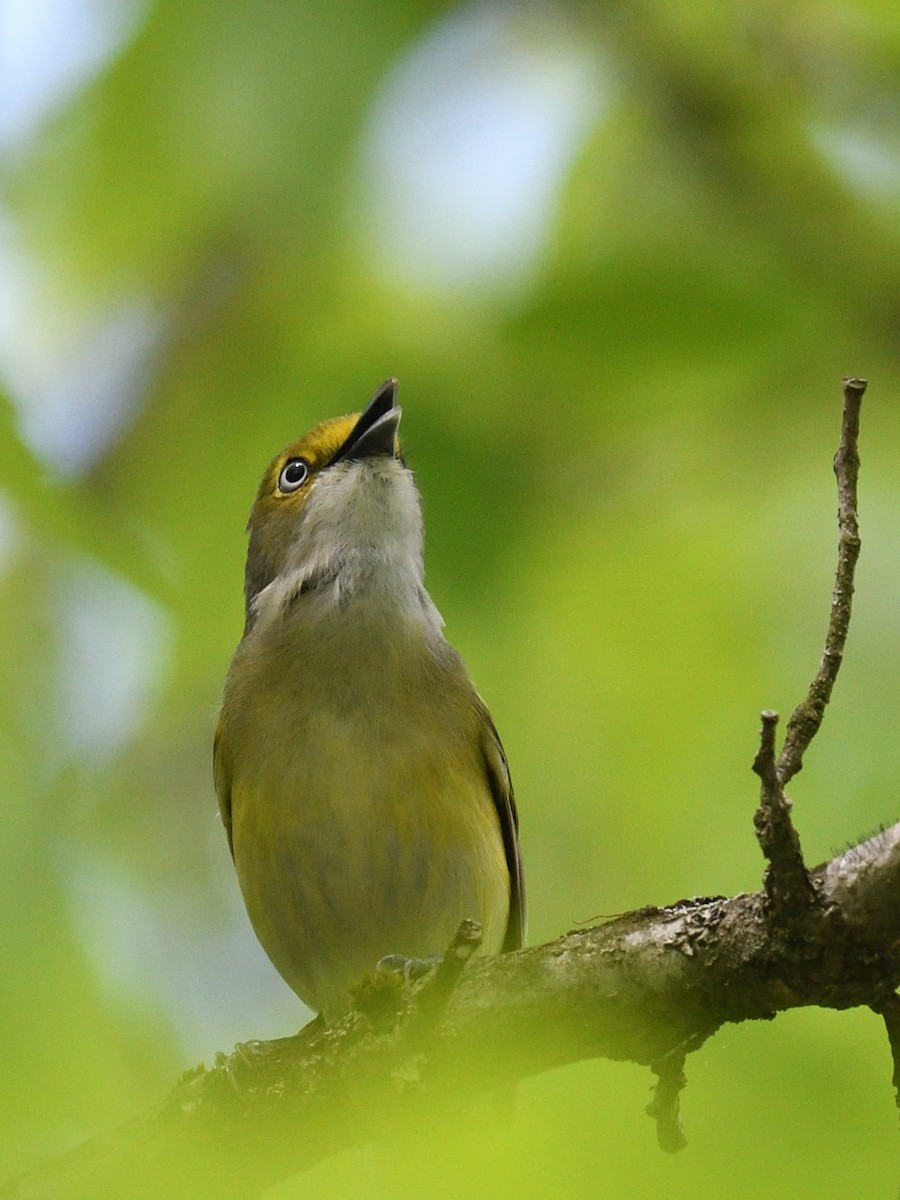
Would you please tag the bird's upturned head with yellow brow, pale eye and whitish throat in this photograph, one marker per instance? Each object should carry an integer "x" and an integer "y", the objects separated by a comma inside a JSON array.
[{"x": 338, "y": 502}]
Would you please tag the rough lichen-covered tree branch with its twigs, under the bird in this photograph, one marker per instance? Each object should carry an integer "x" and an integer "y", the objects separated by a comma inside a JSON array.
[{"x": 649, "y": 987}]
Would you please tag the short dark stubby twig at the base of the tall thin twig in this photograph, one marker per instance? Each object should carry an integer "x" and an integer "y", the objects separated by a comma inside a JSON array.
[{"x": 788, "y": 881}]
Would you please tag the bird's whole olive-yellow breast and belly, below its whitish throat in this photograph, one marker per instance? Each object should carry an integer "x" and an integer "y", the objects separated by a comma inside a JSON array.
[{"x": 362, "y": 817}]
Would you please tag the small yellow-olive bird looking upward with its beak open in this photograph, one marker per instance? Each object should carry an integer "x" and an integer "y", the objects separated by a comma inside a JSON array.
[{"x": 361, "y": 779}]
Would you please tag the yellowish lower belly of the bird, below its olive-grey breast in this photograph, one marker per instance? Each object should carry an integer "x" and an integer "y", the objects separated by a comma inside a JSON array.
[{"x": 358, "y": 855}]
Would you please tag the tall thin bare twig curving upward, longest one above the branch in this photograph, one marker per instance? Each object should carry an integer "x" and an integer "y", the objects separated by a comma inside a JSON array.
[{"x": 808, "y": 716}]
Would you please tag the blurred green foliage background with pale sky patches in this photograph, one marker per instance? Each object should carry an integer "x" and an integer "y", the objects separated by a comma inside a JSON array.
[{"x": 620, "y": 257}]
